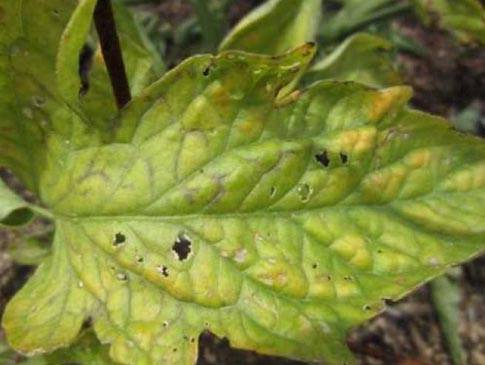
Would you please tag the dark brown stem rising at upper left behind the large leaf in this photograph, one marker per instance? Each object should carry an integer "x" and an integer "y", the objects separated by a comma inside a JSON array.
[{"x": 110, "y": 47}]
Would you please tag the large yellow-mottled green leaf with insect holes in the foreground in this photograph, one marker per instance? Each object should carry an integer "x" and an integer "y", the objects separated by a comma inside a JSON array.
[{"x": 215, "y": 203}]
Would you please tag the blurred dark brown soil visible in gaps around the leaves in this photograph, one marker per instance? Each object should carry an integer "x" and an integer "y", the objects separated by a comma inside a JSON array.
[{"x": 446, "y": 80}]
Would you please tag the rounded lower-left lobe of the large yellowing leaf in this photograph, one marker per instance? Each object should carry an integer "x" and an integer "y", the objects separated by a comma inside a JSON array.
[{"x": 49, "y": 311}]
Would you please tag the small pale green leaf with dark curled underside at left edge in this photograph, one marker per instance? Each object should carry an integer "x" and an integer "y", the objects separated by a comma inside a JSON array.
[{"x": 14, "y": 210}]
